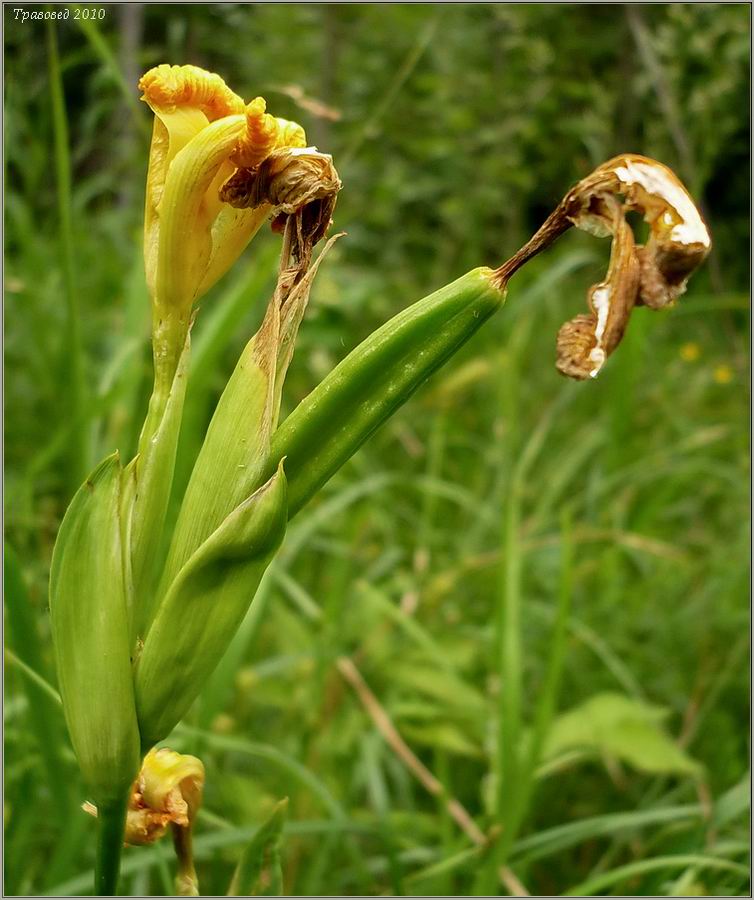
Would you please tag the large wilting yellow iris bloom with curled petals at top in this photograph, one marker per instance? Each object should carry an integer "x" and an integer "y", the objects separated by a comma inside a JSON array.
[{"x": 202, "y": 133}]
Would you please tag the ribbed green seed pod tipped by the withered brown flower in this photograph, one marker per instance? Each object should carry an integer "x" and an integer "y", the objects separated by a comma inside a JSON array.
[{"x": 375, "y": 379}]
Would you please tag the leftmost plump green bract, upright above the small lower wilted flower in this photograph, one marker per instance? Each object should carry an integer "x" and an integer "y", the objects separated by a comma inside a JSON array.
[{"x": 91, "y": 635}]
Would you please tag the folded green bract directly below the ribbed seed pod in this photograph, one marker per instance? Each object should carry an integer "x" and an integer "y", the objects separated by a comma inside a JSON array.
[{"x": 203, "y": 608}]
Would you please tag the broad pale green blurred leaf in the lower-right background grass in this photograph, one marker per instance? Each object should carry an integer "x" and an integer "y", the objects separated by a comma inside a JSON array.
[{"x": 618, "y": 726}]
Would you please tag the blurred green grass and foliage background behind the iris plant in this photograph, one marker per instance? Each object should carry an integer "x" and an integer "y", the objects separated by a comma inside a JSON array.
[{"x": 599, "y": 530}]
